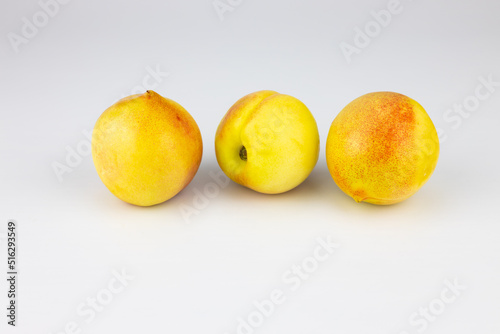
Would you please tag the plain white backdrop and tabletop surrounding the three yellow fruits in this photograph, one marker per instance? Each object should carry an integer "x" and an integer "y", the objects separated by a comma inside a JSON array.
[{"x": 202, "y": 276}]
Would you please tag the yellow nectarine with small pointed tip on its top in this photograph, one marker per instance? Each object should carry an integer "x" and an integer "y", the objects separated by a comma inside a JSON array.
[{"x": 146, "y": 148}]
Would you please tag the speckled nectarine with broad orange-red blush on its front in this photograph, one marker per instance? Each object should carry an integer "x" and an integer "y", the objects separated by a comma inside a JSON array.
[{"x": 381, "y": 148}]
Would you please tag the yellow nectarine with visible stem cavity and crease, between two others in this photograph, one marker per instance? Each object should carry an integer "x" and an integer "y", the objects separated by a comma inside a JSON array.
[{"x": 280, "y": 137}]
